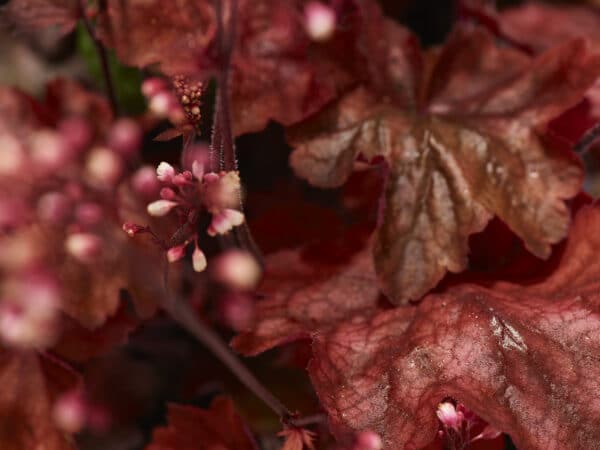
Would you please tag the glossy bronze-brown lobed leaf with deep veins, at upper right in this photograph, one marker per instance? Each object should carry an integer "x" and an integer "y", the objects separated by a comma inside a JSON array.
[{"x": 471, "y": 150}]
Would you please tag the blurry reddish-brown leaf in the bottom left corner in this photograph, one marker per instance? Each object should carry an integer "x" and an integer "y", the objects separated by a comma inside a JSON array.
[{"x": 26, "y": 401}]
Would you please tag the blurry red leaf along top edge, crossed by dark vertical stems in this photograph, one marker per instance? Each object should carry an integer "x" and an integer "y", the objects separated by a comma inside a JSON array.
[{"x": 277, "y": 72}]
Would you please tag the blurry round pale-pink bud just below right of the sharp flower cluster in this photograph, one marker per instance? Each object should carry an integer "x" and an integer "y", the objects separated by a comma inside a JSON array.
[{"x": 237, "y": 269}]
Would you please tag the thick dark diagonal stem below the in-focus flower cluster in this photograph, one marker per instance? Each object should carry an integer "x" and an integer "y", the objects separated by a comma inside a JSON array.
[{"x": 185, "y": 316}]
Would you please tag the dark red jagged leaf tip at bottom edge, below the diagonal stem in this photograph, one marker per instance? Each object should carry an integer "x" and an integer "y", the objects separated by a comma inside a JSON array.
[{"x": 190, "y": 428}]
